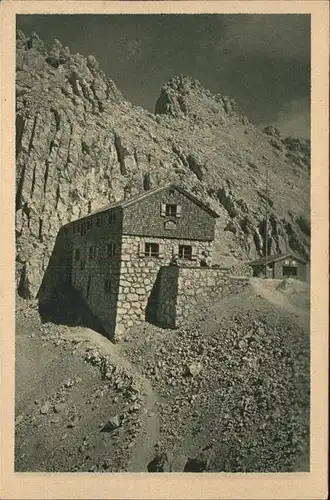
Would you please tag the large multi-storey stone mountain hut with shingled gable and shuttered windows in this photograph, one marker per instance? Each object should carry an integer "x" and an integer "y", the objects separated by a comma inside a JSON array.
[{"x": 118, "y": 251}]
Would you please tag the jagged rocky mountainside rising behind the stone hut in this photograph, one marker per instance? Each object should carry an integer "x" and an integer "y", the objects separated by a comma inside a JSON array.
[{"x": 79, "y": 143}]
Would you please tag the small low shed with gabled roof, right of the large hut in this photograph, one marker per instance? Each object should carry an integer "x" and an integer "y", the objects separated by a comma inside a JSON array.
[{"x": 282, "y": 266}]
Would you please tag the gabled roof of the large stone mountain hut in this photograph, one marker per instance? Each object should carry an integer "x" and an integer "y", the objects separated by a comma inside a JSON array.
[{"x": 135, "y": 199}]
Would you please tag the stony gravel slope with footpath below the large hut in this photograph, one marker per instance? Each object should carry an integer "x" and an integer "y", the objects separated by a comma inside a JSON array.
[{"x": 228, "y": 391}]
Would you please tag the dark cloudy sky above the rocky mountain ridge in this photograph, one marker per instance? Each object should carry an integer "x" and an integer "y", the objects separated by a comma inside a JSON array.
[{"x": 262, "y": 61}]
